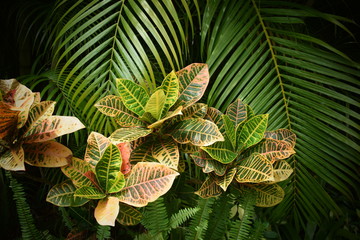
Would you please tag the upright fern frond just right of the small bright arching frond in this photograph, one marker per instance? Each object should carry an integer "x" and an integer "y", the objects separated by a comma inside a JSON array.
[{"x": 198, "y": 223}]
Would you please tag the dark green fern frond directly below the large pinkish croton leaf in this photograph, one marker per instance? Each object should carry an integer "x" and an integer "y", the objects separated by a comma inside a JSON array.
[{"x": 155, "y": 218}]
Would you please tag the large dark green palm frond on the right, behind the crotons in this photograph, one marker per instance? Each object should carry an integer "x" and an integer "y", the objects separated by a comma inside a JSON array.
[{"x": 303, "y": 83}]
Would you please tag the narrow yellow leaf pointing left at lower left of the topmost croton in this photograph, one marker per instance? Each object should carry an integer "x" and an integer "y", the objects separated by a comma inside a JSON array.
[{"x": 128, "y": 134}]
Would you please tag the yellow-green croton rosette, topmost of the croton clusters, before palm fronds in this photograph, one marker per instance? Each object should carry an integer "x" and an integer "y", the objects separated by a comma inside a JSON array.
[{"x": 167, "y": 120}]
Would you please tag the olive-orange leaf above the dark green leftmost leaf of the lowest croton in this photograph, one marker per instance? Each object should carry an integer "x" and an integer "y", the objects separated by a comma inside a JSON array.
[{"x": 77, "y": 171}]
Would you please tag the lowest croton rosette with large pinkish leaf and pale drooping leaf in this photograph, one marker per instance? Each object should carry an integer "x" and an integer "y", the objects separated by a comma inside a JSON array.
[{"x": 99, "y": 177}]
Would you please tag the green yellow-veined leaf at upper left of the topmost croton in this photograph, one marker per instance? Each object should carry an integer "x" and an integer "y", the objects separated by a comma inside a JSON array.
[{"x": 133, "y": 96}]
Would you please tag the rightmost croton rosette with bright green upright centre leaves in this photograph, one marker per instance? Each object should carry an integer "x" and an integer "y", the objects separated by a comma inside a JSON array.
[{"x": 249, "y": 156}]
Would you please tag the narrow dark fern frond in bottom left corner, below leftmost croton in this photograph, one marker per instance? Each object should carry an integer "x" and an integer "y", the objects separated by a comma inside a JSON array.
[{"x": 27, "y": 225}]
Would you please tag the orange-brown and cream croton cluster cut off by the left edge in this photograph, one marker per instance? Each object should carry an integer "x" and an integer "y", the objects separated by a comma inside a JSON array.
[{"x": 27, "y": 129}]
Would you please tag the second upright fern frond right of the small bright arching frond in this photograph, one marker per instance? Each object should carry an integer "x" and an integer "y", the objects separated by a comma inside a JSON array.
[{"x": 219, "y": 218}]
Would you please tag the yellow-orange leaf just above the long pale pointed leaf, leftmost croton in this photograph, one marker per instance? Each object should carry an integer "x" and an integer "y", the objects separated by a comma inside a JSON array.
[{"x": 39, "y": 112}]
